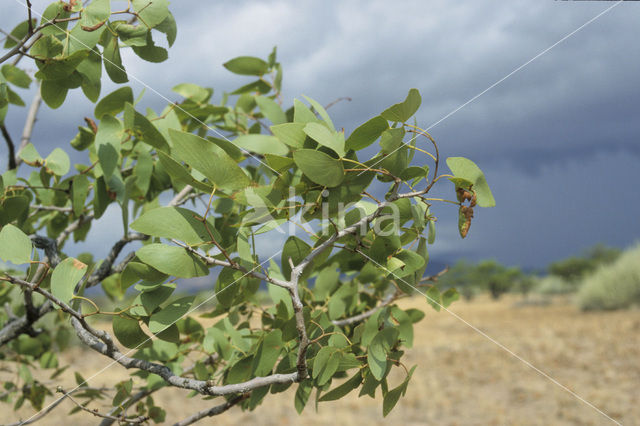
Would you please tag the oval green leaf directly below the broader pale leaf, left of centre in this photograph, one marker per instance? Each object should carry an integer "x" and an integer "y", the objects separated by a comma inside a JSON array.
[{"x": 172, "y": 260}]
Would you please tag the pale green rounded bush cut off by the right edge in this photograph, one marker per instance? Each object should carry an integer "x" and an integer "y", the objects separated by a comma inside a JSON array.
[{"x": 613, "y": 286}]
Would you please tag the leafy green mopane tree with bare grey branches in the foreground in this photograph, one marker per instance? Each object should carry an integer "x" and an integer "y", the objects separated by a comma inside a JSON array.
[{"x": 197, "y": 184}]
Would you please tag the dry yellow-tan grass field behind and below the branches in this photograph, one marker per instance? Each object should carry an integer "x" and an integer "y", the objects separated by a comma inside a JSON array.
[{"x": 462, "y": 378}]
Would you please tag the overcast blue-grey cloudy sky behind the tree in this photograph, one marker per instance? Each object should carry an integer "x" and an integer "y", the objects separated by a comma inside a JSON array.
[{"x": 558, "y": 140}]
